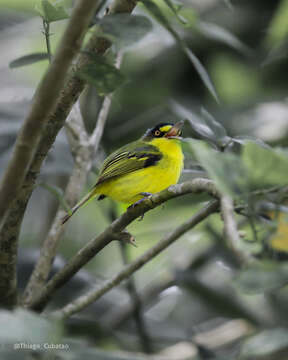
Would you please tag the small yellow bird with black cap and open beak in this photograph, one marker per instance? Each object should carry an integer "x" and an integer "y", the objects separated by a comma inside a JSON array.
[{"x": 140, "y": 168}]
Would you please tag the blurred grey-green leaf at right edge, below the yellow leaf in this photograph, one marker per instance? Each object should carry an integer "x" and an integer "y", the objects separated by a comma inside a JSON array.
[{"x": 262, "y": 277}]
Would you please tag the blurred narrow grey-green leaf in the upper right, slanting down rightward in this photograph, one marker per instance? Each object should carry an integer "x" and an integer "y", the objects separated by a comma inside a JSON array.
[{"x": 216, "y": 32}]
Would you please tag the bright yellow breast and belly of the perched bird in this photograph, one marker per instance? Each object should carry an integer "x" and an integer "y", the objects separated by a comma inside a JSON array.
[{"x": 128, "y": 188}]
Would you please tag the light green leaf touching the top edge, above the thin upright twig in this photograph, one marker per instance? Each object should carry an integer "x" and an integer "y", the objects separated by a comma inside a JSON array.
[{"x": 51, "y": 11}]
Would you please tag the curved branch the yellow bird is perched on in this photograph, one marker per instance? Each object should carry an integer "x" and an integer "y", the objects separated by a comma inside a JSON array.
[{"x": 115, "y": 230}]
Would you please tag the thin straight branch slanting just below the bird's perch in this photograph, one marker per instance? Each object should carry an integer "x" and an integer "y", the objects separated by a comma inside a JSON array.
[{"x": 82, "y": 301}]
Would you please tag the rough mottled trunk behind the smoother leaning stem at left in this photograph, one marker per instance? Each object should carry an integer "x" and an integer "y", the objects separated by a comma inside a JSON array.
[{"x": 9, "y": 232}]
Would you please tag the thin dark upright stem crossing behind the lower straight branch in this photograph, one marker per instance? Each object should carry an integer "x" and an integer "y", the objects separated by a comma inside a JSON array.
[{"x": 137, "y": 305}]
